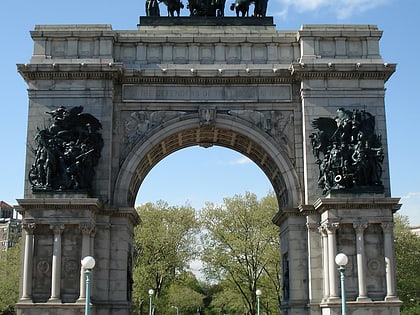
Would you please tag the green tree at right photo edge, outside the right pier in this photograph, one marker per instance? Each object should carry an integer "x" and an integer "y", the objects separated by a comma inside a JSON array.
[{"x": 407, "y": 256}]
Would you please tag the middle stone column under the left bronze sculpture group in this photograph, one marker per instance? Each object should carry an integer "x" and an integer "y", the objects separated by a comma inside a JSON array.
[{"x": 56, "y": 263}]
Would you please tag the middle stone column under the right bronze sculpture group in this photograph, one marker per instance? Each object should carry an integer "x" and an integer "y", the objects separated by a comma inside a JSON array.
[{"x": 359, "y": 227}]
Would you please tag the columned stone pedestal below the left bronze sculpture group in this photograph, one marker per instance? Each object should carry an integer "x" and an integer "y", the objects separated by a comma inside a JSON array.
[{"x": 58, "y": 233}]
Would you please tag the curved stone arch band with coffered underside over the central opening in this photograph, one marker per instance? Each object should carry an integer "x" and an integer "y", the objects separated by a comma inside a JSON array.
[{"x": 228, "y": 132}]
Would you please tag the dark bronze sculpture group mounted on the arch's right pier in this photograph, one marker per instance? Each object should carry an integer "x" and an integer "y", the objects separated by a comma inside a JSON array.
[{"x": 348, "y": 152}]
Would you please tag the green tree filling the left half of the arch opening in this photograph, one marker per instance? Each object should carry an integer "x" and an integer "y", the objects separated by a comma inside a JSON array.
[{"x": 164, "y": 243}]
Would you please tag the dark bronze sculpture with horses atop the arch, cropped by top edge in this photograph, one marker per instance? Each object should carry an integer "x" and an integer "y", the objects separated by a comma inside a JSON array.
[{"x": 207, "y": 7}]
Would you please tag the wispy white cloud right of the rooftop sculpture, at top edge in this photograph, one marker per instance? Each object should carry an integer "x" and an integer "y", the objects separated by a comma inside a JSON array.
[{"x": 343, "y": 9}]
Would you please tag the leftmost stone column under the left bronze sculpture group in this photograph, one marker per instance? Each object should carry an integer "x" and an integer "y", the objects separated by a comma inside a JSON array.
[{"x": 27, "y": 262}]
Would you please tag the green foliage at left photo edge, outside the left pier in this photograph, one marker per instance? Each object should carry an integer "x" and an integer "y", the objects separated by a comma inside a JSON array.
[{"x": 9, "y": 279}]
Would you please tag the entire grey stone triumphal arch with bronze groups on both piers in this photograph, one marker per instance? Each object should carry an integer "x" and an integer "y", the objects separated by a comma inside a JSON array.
[{"x": 307, "y": 106}]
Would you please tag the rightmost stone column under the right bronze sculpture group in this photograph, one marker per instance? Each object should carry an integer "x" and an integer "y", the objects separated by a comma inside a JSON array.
[{"x": 388, "y": 228}]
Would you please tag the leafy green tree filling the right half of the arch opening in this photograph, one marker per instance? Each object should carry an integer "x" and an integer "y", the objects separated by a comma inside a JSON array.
[{"x": 241, "y": 247}]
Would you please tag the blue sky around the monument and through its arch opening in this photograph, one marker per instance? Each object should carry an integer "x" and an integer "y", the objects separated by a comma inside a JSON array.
[{"x": 196, "y": 175}]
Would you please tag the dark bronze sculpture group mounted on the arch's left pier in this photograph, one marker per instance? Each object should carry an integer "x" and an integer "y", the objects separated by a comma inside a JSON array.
[{"x": 66, "y": 152}]
